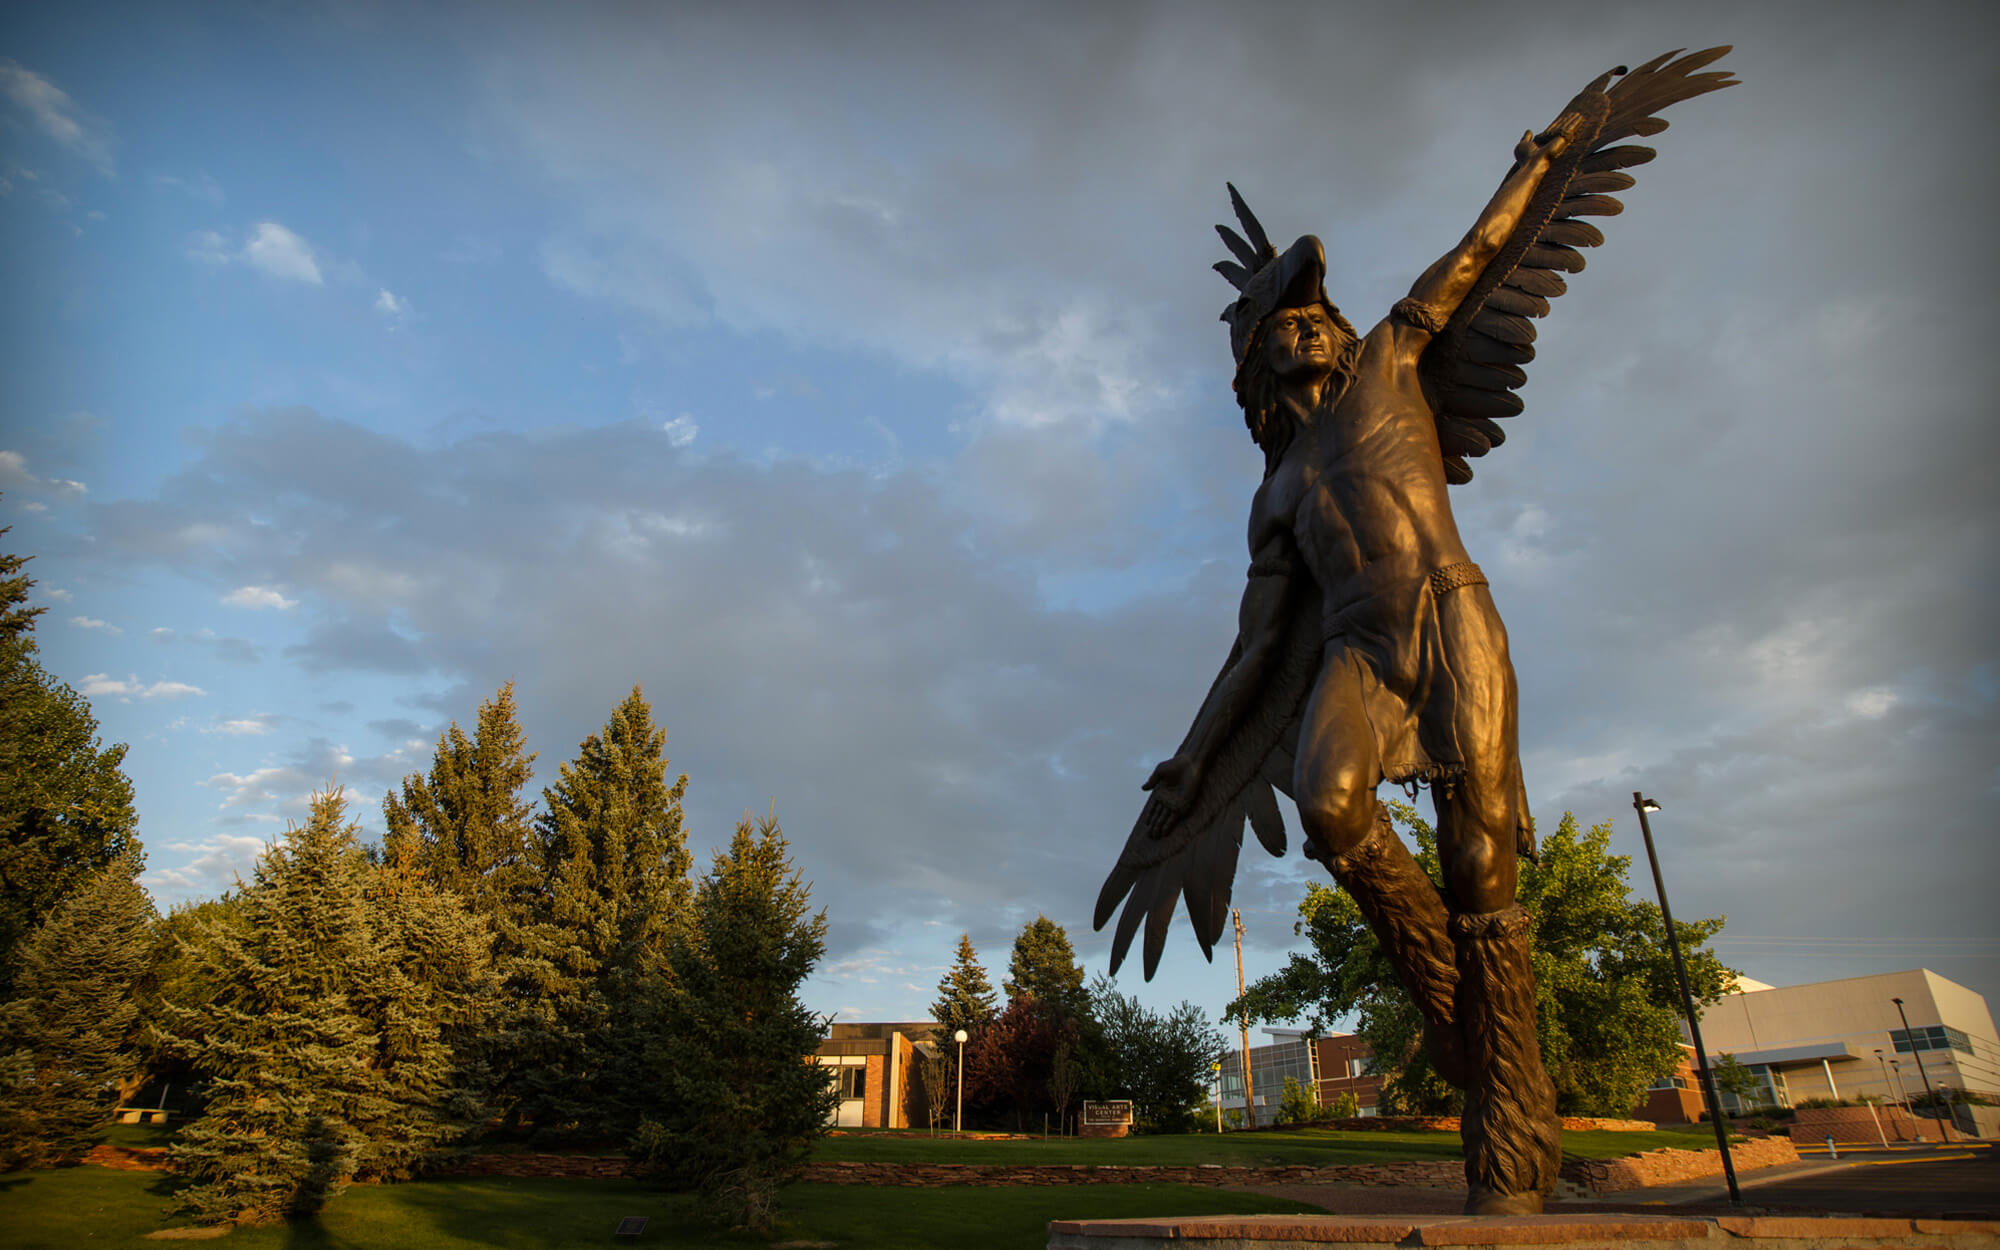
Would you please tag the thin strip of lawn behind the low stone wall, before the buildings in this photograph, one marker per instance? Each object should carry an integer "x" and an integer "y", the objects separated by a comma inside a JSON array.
[{"x": 1315, "y": 1147}]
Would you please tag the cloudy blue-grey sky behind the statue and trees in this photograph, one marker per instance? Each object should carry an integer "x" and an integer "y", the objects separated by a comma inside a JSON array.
[{"x": 849, "y": 379}]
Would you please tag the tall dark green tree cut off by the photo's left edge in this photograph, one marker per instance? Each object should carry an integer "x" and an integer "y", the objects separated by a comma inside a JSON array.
[{"x": 65, "y": 805}]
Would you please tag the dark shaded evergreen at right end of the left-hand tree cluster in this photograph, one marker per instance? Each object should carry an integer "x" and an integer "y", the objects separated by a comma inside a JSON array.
[{"x": 737, "y": 1105}]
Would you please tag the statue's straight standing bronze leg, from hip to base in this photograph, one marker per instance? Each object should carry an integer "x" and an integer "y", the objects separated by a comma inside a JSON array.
[{"x": 1511, "y": 1129}]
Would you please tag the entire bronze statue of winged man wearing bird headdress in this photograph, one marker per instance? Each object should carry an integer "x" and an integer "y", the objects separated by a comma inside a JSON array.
[{"x": 1369, "y": 649}]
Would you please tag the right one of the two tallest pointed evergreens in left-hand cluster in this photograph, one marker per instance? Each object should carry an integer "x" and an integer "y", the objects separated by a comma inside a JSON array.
[{"x": 615, "y": 865}]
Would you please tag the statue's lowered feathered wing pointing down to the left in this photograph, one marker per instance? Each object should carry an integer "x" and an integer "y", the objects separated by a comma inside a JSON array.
[{"x": 1193, "y": 857}]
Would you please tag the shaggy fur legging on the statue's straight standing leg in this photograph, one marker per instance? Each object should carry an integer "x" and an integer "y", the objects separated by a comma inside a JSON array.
[{"x": 1511, "y": 1129}]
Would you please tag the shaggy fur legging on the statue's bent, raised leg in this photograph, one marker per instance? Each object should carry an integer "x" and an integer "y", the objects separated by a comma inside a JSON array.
[{"x": 1409, "y": 919}]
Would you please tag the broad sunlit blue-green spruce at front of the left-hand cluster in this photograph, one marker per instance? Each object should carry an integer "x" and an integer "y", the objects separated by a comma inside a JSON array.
[{"x": 323, "y": 1037}]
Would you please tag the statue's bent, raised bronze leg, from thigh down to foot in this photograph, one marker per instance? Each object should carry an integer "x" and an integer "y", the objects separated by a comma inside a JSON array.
[{"x": 1349, "y": 831}]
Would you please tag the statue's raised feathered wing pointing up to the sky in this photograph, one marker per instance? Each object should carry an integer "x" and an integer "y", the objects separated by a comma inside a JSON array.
[{"x": 1475, "y": 365}]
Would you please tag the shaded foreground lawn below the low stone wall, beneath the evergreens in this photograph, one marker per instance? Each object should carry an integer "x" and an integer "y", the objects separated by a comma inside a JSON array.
[{"x": 95, "y": 1207}]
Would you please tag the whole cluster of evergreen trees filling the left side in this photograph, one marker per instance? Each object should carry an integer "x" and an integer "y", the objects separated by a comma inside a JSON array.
[{"x": 555, "y": 975}]
